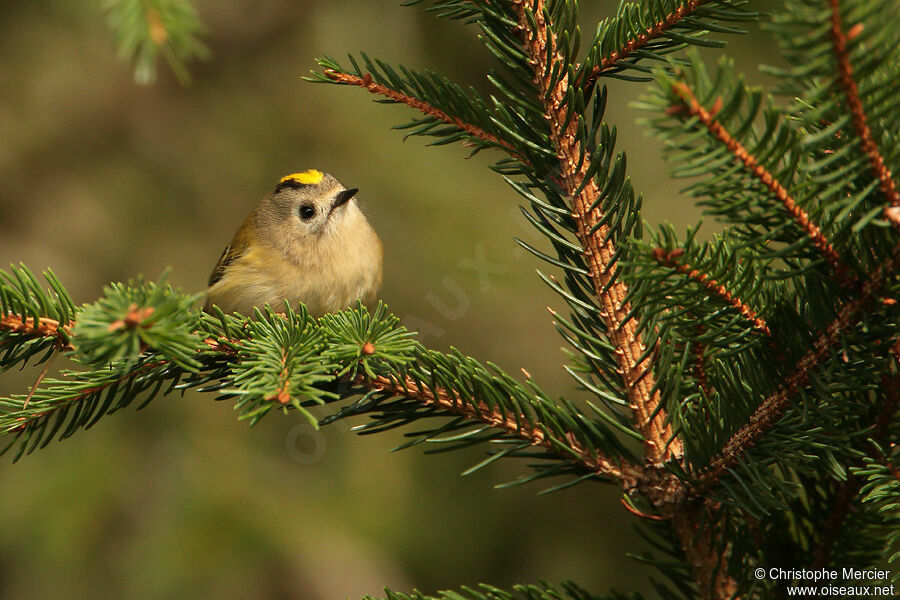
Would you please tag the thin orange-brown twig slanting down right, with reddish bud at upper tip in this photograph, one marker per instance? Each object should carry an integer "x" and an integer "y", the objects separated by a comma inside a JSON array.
[{"x": 693, "y": 106}]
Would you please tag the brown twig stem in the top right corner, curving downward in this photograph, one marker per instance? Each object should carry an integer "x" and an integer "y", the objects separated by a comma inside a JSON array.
[{"x": 860, "y": 121}]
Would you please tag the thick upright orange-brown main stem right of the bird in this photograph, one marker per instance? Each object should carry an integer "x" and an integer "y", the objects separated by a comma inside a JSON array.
[{"x": 634, "y": 363}]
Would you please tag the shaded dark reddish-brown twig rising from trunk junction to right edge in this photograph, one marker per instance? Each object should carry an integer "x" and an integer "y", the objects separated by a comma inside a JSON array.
[{"x": 773, "y": 407}]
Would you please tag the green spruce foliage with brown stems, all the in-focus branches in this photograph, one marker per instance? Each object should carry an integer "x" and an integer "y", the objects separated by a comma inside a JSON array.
[{"x": 757, "y": 369}]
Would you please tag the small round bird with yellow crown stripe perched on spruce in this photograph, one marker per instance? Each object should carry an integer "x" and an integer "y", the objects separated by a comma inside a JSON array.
[{"x": 307, "y": 241}]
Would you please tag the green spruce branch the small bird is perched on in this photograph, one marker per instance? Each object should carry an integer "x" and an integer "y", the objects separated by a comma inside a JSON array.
[{"x": 143, "y": 338}]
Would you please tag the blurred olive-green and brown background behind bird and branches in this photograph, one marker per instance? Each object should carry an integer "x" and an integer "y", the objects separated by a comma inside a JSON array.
[{"x": 102, "y": 180}]
